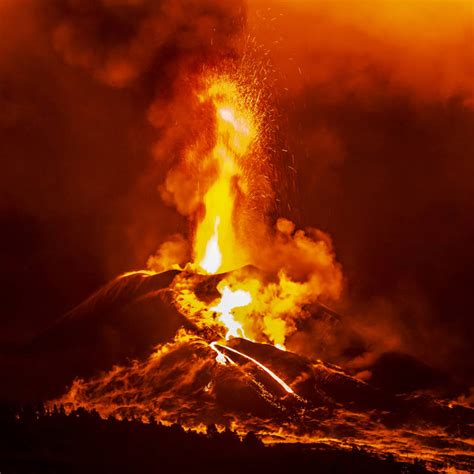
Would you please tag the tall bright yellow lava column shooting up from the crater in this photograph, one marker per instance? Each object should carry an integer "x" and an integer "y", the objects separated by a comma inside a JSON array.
[{"x": 216, "y": 245}]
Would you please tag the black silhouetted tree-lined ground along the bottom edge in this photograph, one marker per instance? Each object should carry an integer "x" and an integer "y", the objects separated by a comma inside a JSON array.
[{"x": 36, "y": 442}]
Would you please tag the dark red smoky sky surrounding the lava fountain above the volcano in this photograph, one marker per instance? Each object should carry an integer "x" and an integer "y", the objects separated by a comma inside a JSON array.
[{"x": 376, "y": 107}]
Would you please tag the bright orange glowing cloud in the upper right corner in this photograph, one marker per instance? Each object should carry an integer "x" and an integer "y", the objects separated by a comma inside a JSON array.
[{"x": 346, "y": 48}]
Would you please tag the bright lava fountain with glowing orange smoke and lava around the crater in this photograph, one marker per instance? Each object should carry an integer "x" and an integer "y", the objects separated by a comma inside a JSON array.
[{"x": 264, "y": 276}]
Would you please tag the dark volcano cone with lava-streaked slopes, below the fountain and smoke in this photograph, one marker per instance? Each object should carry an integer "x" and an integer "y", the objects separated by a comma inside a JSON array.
[{"x": 162, "y": 365}]
